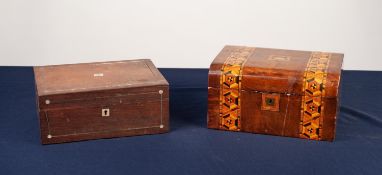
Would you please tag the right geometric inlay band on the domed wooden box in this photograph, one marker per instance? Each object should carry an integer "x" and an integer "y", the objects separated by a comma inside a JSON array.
[{"x": 312, "y": 106}]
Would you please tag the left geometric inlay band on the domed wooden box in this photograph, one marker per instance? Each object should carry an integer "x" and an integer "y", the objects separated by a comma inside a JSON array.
[{"x": 230, "y": 86}]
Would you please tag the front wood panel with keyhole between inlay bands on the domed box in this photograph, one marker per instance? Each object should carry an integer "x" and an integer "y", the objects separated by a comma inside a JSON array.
[{"x": 265, "y": 114}]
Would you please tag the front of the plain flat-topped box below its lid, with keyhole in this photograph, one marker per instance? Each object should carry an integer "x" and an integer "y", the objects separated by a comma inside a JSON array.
[{"x": 114, "y": 117}]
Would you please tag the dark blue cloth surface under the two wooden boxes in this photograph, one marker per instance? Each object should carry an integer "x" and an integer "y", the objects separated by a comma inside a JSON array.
[{"x": 191, "y": 148}]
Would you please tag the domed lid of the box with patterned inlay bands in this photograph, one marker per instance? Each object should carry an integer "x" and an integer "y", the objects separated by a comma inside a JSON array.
[{"x": 277, "y": 70}]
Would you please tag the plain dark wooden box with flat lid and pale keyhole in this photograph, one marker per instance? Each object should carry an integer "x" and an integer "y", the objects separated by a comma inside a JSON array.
[{"x": 101, "y": 100}]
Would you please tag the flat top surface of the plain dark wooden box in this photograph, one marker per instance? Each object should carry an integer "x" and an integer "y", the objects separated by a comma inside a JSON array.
[{"x": 84, "y": 77}]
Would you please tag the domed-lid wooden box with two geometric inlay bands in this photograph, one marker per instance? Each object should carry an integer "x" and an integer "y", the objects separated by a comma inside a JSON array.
[{"x": 274, "y": 91}]
